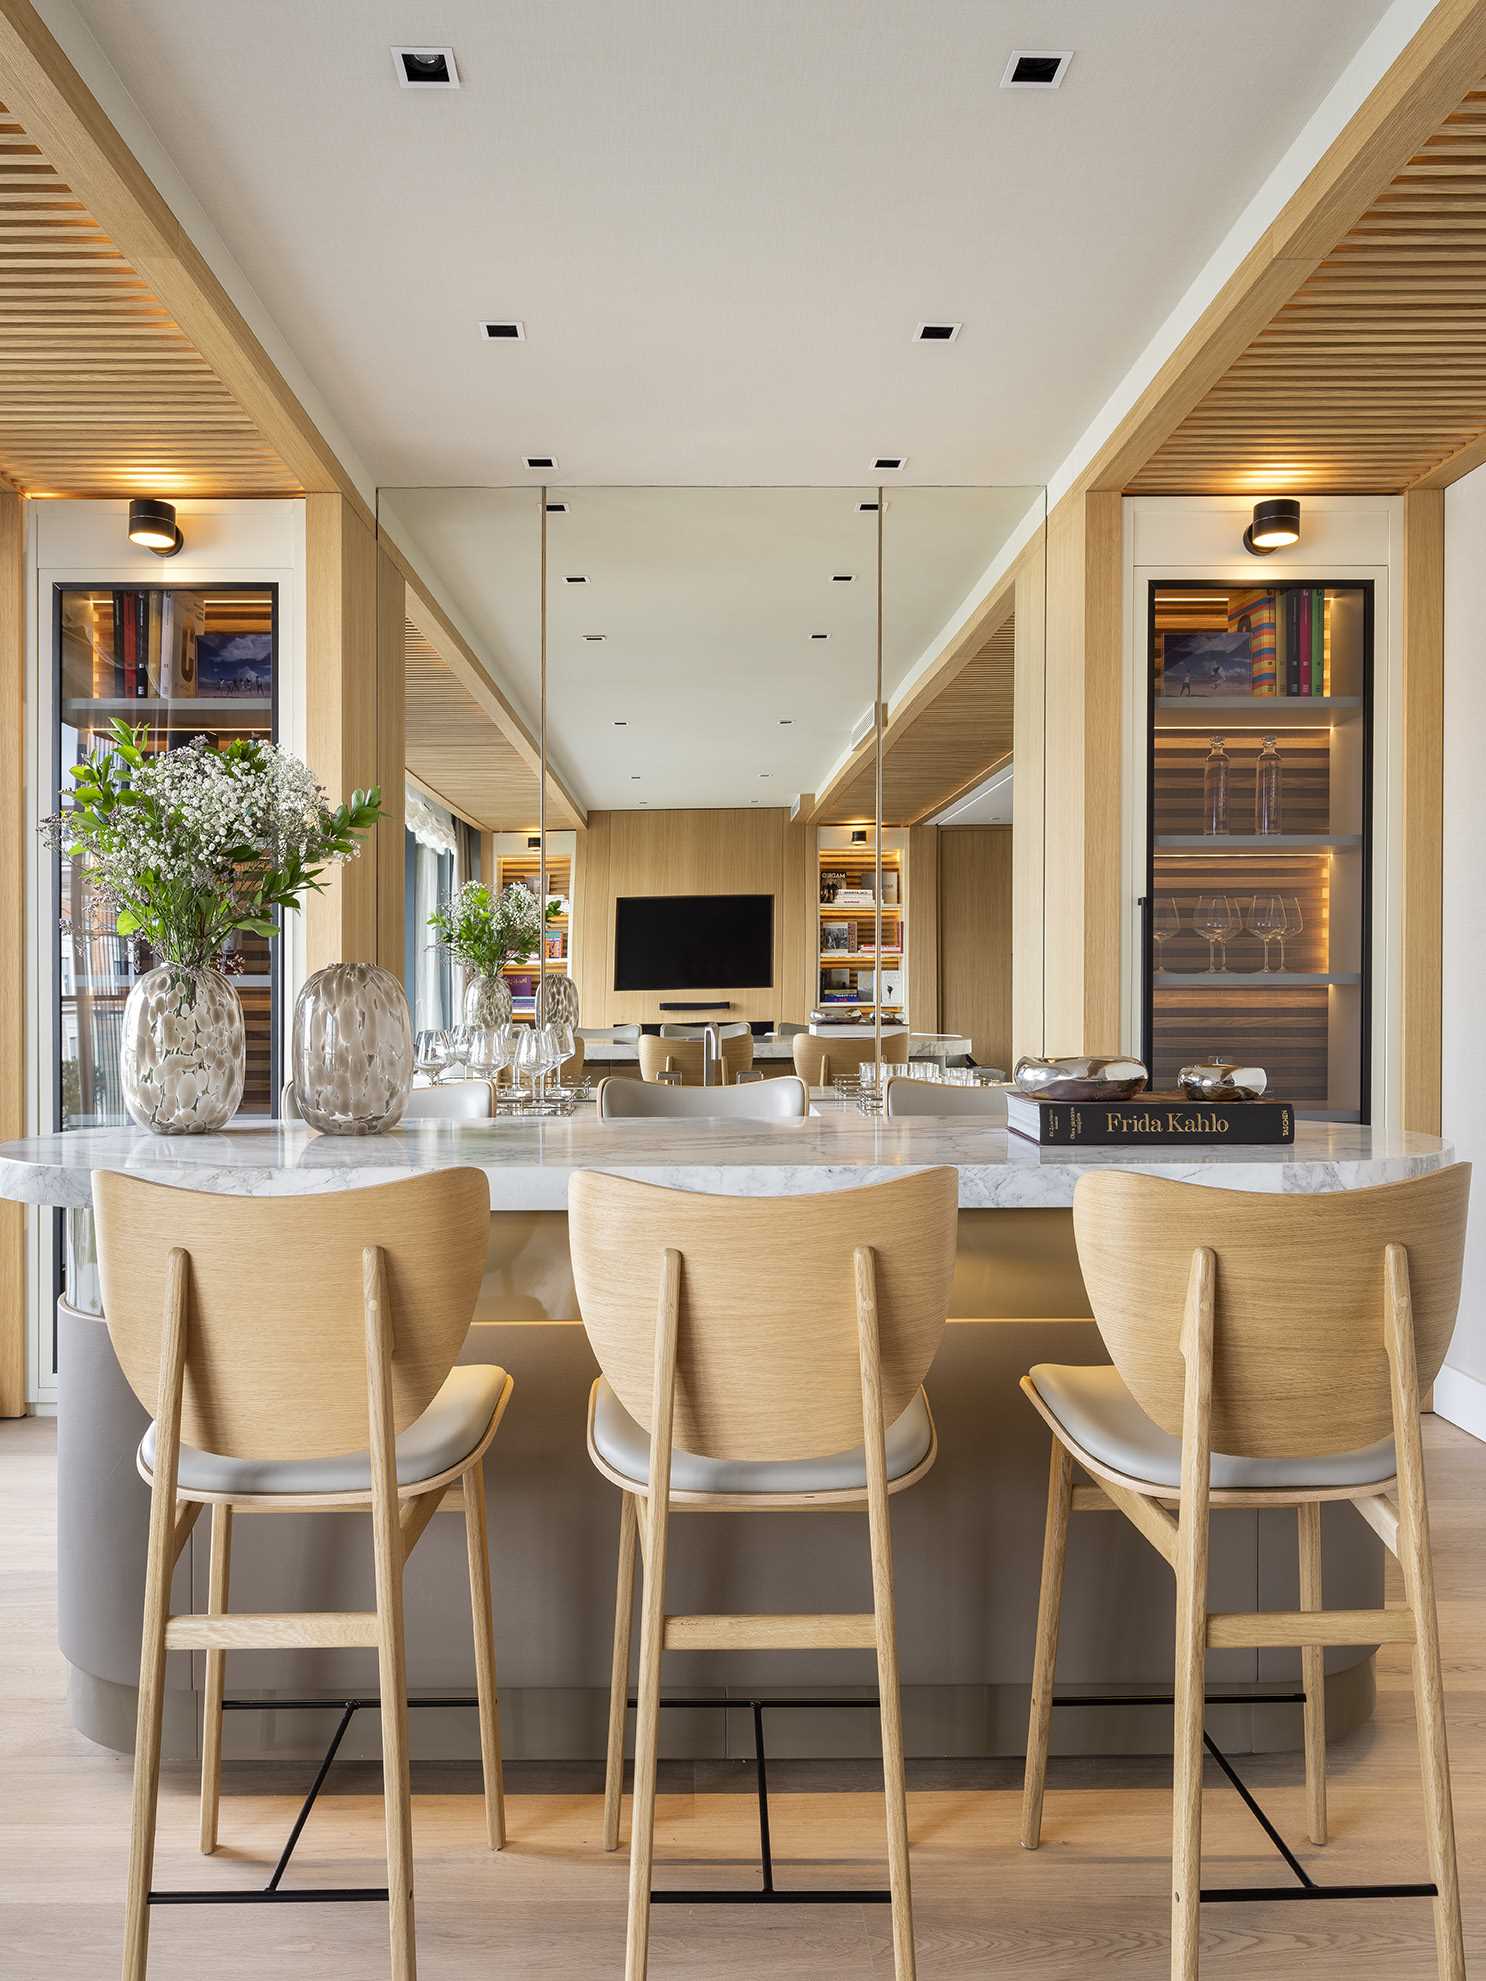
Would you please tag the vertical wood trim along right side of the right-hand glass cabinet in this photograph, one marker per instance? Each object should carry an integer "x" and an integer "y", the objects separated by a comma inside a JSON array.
[{"x": 1424, "y": 807}]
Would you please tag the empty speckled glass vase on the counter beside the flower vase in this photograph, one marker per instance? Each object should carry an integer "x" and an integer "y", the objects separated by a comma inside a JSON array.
[{"x": 352, "y": 1051}]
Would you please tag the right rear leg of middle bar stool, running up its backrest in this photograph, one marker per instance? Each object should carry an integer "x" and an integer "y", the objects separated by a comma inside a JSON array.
[{"x": 885, "y": 1617}]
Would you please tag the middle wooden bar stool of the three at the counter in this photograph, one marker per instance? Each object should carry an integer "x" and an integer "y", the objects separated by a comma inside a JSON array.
[{"x": 762, "y": 1356}]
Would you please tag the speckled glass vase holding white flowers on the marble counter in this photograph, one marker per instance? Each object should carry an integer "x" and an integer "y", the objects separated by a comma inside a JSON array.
[{"x": 183, "y": 1055}]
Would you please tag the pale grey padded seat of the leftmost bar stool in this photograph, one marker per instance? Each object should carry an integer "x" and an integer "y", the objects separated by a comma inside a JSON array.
[{"x": 453, "y": 1425}]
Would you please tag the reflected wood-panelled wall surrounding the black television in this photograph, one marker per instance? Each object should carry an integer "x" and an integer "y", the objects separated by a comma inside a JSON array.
[{"x": 692, "y": 853}]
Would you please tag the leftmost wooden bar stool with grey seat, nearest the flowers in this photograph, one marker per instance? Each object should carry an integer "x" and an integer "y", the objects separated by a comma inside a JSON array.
[{"x": 298, "y": 1356}]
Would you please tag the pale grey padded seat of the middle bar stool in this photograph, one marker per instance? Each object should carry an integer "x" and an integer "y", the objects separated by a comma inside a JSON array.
[{"x": 621, "y": 1451}]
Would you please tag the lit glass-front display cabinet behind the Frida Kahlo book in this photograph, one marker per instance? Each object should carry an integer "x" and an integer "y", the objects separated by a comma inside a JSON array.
[{"x": 1259, "y": 831}]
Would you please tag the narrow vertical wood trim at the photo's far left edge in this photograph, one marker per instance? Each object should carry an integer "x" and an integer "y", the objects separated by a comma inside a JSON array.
[{"x": 15, "y": 950}]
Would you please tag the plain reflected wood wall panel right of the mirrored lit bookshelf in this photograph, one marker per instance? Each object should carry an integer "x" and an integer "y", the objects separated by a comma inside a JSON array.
[{"x": 976, "y": 938}]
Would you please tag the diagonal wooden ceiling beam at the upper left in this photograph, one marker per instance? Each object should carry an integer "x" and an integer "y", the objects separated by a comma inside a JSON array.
[{"x": 64, "y": 118}]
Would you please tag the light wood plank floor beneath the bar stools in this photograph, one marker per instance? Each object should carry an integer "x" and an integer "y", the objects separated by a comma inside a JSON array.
[{"x": 1093, "y": 1903}]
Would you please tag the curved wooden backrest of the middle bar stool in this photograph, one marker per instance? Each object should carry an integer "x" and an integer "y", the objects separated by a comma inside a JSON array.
[{"x": 768, "y": 1356}]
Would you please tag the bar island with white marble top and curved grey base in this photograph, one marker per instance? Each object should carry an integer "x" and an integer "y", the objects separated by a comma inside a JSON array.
[{"x": 968, "y": 1540}]
